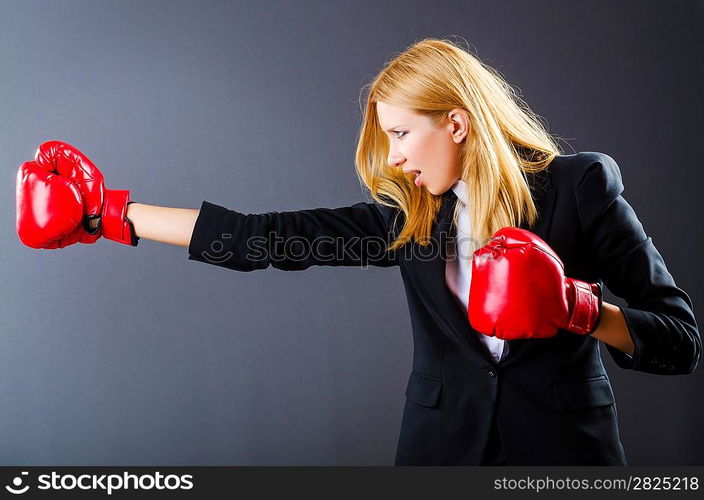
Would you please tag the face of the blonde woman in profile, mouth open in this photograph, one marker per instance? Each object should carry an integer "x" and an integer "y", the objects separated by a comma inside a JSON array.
[{"x": 417, "y": 144}]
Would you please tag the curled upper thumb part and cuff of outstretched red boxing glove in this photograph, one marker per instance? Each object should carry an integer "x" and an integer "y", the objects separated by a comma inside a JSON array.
[{"x": 104, "y": 210}]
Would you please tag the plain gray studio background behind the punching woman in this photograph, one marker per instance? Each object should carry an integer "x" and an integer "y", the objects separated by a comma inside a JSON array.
[{"x": 118, "y": 355}]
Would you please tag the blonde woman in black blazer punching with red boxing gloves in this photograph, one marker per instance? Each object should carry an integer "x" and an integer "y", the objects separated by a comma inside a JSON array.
[{"x": 506, "y": 368}]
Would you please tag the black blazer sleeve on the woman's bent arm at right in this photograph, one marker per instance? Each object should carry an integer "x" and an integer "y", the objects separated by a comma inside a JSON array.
[{"x": 659, "y": 315}]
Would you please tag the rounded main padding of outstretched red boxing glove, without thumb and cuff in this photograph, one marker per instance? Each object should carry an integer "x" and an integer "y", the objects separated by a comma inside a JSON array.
[{"x": 49, "y": 209}]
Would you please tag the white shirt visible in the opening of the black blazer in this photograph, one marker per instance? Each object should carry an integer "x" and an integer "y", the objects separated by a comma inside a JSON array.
[{"x": 458, "y": 271}]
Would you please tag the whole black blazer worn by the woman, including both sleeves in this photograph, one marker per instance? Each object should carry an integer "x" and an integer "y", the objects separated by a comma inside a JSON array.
[{"x": 550, "y": 399}]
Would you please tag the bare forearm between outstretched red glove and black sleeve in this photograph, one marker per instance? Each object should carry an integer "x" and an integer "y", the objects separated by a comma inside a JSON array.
[{"x": 163, "y": 224}]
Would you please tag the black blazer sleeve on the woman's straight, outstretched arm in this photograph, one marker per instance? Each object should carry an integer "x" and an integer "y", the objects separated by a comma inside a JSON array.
[{"x": 356, "y": 235}]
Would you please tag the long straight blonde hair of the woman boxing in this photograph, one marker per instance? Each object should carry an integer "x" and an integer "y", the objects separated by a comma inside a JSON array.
[{"x": 506, "y": 139}]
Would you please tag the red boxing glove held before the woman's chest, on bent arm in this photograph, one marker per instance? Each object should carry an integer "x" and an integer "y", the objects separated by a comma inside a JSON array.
[{"x": 519, "y": 290}]
